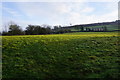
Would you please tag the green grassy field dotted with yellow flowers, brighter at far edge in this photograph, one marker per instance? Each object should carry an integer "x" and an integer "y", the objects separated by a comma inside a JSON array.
[{"x": 71, "y": 55}]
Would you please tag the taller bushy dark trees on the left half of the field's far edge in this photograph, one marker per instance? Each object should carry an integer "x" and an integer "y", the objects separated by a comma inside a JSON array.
[{"x": 15, "y": 29}]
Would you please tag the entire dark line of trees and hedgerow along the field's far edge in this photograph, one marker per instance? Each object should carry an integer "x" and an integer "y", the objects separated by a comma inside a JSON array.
[{"x": 15, "y": 29}]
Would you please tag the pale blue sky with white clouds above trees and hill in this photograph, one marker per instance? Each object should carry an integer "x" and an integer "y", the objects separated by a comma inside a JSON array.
[{"x": 58, "y": 13}]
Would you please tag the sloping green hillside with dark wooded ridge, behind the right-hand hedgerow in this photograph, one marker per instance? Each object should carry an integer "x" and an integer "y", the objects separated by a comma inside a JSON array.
[{"x": 111, "y": 26}]
